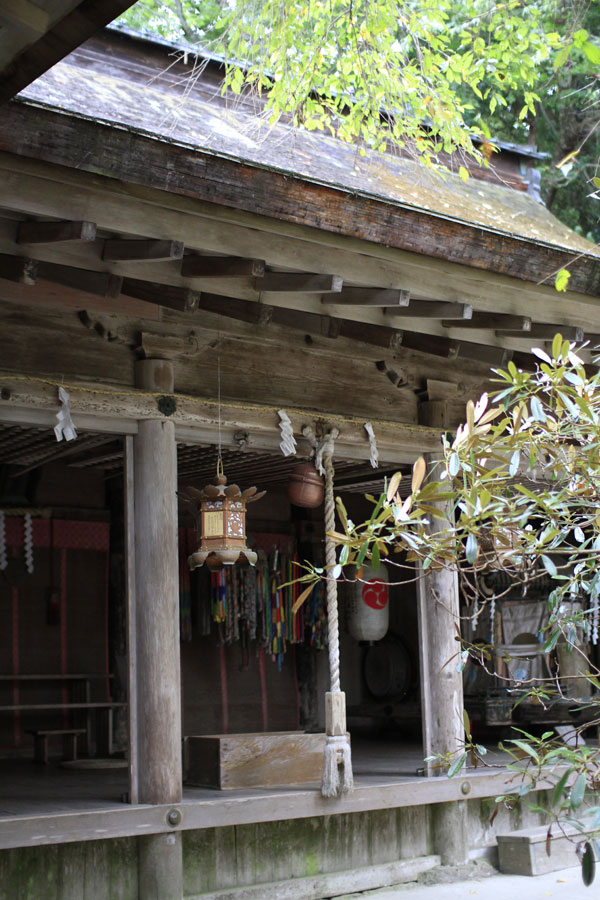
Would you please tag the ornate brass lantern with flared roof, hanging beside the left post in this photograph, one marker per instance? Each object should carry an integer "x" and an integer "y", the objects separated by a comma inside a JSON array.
[{"x": 220, "y": 511}]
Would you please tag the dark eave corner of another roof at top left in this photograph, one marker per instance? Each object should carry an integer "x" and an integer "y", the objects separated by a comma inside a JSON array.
[{"x": 41, "y": 34}]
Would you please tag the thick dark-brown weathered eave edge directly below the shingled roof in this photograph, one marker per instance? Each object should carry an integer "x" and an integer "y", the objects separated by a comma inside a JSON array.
[{"x": 75, "y": 141}]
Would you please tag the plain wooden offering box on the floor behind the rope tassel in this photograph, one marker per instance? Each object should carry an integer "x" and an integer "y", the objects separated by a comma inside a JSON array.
[{"x": 265, "y": 759}]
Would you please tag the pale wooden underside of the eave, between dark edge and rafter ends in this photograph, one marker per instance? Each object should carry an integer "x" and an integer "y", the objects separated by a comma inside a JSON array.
[{"x": 36, "y": 188}]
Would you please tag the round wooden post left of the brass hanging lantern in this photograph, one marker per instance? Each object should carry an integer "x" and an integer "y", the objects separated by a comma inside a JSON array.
[{"x": 157, "y": 679}]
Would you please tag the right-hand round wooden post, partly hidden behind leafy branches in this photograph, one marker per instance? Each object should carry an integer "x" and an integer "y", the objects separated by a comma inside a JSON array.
[{"x": 442, "y": 692}]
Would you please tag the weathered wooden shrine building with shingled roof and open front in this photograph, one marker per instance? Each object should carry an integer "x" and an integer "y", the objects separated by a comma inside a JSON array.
[{"x": 159, "y": 246}]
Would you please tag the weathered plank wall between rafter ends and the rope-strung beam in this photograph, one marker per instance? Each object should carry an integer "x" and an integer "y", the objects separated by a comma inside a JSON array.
[{"x": 272, "y": 365}]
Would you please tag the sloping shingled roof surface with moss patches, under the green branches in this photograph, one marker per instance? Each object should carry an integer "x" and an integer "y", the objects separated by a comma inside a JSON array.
[{"x": 145, "y": 91}]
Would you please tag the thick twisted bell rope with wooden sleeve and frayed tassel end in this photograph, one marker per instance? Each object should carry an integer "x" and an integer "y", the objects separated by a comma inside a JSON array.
[{"x": 337, "y": 761}]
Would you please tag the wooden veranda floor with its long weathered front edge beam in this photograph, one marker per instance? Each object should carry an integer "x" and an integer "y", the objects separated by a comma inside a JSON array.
[{"x": 51, "y": 804}]
